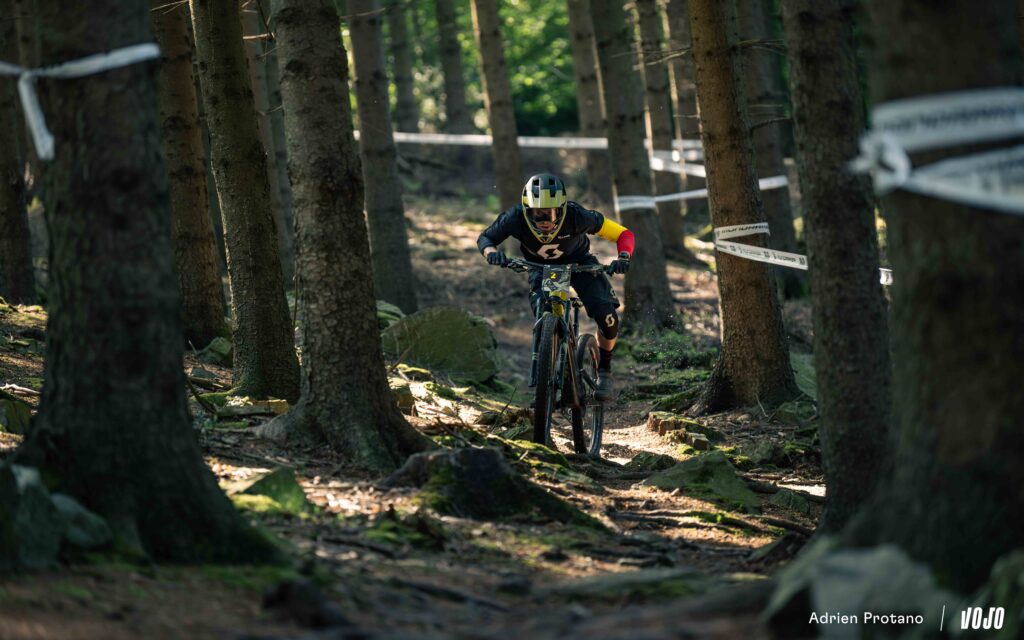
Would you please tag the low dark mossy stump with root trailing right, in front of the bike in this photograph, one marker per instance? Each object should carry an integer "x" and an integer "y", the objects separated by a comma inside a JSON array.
[{"x": 480, "y": 484}]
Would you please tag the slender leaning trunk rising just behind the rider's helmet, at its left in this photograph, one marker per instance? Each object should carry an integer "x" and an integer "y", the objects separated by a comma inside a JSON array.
[{"x": 498, "y": 101}]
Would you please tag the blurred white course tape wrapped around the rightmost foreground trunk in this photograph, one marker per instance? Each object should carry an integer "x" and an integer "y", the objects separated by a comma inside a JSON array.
[{"x": 990, "y": 180}]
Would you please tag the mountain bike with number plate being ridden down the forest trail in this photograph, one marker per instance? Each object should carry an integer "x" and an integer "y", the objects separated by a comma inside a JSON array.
[{"x": 564, "y": 367}]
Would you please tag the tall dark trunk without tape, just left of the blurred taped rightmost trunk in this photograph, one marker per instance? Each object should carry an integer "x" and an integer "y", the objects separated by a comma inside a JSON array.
[{"x": 851, "y": 338}]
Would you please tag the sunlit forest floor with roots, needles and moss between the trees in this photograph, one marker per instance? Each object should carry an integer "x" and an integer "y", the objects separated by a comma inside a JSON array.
[{"x": 662, "y": 564}]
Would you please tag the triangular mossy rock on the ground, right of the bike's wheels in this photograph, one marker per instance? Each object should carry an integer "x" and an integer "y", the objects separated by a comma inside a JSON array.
[{"x": 708, "y": 477}]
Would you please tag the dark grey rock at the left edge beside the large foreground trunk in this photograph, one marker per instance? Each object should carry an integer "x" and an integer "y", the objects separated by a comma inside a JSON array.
[{"x": 31, "y": 527}]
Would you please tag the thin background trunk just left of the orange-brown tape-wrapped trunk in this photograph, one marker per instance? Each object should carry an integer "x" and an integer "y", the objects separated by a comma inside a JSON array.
[{"x": 685, "y": 90}]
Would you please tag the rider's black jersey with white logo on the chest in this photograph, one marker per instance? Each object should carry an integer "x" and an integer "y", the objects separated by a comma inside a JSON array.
[{"x": 571, "y": 244}]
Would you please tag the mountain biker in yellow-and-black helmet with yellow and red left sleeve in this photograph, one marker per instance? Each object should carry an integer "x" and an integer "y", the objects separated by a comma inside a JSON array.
[{"x": 553, "y": 230}]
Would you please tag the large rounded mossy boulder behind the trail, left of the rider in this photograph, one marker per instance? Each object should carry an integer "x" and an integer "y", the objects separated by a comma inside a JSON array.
[{"x": 445, "y": 340}]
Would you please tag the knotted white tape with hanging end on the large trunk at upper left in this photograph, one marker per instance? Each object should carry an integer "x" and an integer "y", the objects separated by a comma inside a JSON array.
[{"x": 41, "y": 137}]
